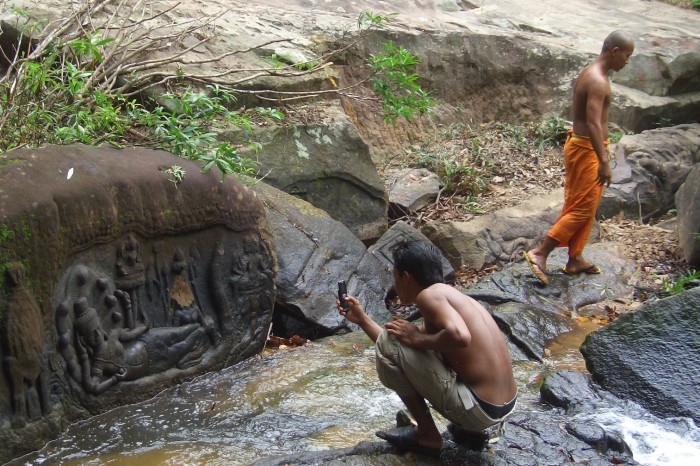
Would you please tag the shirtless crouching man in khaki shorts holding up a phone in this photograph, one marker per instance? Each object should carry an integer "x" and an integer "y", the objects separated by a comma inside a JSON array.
[{"x": 458, "y": 360}]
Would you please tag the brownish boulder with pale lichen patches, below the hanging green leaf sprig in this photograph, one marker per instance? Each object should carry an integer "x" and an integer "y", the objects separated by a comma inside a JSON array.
[{"x": 327, "y": 164}]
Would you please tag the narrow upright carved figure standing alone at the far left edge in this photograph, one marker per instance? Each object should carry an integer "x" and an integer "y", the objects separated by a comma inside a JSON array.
[{"x": 24, "y": 344}]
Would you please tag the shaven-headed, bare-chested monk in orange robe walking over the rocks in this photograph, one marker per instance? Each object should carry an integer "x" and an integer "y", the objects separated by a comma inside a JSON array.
[{"x": 586, "y": 159}]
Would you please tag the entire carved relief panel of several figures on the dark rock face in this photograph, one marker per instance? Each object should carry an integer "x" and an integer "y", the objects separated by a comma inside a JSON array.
[{"x": 103, "y": 340}]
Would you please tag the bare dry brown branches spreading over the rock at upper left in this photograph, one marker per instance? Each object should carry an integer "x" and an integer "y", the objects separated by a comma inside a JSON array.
[{"x": 136, "y": 59}]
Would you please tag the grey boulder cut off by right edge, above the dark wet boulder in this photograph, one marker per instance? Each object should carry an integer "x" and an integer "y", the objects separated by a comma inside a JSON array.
[{"x": 688, "y": 208}]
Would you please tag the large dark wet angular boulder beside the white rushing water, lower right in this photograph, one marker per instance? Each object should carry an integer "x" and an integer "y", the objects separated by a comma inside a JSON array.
[{"x": 650, "y": 356}]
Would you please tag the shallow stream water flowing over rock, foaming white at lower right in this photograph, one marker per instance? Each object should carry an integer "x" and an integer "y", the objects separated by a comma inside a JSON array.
[{"x": 320, "y": 396}]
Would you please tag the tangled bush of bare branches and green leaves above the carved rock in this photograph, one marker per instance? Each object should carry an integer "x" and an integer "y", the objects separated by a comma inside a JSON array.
[{"x": 83, "y": 78}]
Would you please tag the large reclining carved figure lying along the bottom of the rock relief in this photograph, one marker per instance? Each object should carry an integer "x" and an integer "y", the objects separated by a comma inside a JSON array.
[{"x": 101, "y": 347}]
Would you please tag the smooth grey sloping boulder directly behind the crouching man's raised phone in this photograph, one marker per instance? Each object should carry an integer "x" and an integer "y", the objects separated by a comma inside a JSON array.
[{"x": 315, "y": 251}]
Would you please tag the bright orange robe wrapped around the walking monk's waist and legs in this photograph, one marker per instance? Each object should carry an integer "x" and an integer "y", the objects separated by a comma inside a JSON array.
[{"x": 582, "y": 194}]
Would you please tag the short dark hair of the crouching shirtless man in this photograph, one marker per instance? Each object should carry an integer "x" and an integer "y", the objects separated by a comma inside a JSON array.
[{"x": 421, "y": 259}]
